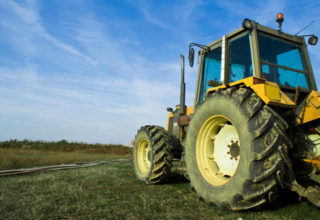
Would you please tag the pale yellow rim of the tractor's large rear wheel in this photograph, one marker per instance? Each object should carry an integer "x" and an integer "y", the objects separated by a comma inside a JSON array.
[{"x": 218, "y": 150}]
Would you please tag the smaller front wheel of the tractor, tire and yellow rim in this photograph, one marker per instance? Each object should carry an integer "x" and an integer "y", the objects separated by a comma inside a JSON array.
[{"x": 152, "y": 157}]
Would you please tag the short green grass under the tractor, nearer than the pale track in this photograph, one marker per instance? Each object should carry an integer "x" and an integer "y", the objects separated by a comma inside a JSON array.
[{"x": 113, "y": 192}]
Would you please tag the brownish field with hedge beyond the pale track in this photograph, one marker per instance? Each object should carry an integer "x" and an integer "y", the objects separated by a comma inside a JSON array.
[{"x": 20, "y": 154}]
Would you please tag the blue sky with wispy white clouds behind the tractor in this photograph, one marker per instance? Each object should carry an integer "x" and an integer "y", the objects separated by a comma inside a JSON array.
[{"x": 95, "y": 71}]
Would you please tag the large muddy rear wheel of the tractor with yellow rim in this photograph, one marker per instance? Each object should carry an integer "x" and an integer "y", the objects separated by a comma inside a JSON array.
[{"x": 235, "y": 147}]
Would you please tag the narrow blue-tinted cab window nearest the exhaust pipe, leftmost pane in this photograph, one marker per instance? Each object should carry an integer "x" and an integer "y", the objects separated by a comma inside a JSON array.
[{"x": 211, "y": 70}]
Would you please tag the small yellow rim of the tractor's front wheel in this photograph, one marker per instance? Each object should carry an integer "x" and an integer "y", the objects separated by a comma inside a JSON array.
[{"x": 144, "y": 155}]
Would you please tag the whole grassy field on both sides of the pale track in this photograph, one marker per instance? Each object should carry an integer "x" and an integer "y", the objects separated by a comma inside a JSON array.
[{"x": 109, "y": 191}]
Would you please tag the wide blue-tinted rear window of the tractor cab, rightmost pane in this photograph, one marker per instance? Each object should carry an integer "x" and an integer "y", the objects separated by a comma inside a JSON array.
[{"x": 281, "y": 62}]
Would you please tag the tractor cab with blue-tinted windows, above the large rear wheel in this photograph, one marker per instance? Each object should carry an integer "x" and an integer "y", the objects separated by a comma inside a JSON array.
[{"x": 256, "y": 51}]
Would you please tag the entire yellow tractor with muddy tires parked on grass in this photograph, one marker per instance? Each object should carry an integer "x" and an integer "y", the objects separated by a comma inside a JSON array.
[{"x": 254, "y": 128}]
